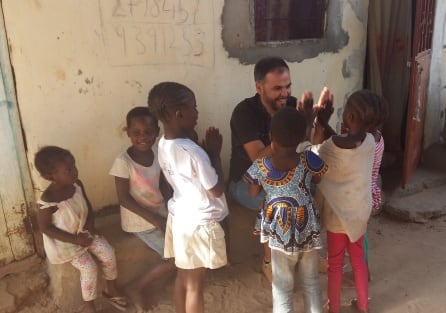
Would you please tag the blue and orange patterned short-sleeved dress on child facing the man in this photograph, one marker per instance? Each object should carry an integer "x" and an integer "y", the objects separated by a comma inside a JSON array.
[{"x": 290, "y": 221}]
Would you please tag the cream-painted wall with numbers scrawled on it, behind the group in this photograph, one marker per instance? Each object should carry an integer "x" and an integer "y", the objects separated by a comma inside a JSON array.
[{"x": 80, "y": 65}]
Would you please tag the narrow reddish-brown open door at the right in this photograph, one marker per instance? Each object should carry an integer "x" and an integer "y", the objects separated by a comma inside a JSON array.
[{"x": 419, "y": 79}]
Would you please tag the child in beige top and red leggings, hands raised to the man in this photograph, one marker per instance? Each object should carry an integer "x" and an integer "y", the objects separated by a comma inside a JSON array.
[{"x": 344, "y": 196}]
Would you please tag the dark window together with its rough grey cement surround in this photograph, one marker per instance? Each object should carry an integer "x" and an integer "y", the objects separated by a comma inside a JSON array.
[{"x": 293, "y": 29}]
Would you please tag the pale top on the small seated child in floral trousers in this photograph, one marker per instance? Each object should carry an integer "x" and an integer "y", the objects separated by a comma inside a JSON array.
[{"x": 70, "y": 216}]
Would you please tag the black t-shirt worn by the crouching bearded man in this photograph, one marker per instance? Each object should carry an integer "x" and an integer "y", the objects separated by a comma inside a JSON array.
[{"x": 249, "y": 121}]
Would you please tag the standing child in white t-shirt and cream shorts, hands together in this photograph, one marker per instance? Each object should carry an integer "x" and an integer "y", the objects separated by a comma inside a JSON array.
[{"x": 194, "y": 236}]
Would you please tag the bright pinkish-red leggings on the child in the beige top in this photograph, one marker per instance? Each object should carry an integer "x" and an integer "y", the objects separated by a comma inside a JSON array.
[{"x": 336, "y": 245}]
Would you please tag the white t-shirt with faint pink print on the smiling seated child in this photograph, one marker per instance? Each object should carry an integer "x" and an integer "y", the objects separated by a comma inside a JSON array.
[{"x": 144, "y": 188}]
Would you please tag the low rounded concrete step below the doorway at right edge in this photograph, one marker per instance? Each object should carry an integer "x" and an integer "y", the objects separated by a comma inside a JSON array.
[{"x": 418, "y": 207}]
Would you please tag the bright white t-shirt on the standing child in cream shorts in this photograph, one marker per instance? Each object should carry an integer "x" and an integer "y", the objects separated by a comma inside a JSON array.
[{"x": 188, "y": 170}]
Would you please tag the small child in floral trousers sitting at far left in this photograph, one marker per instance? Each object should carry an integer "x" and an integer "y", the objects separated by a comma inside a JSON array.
[{"x": 66, "y": 219}]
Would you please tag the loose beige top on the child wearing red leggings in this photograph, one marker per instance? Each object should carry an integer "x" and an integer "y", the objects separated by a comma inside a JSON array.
[{"x": 344, "y": 194}]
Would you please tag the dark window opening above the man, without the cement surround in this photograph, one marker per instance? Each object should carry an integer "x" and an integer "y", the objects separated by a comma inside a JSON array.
[{"x": 281, "y": 20}]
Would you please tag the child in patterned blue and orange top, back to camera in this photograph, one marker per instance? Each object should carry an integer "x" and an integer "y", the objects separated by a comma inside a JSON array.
[{"x": 290, "y": 221}]
